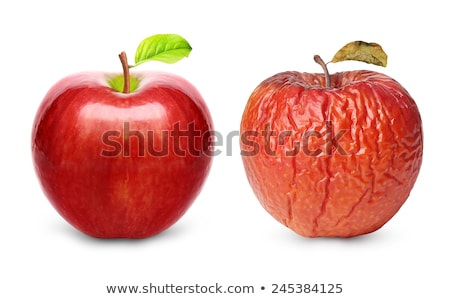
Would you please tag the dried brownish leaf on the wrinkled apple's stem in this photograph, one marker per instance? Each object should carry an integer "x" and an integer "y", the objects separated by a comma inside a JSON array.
[{"x": 362, "y": 51}]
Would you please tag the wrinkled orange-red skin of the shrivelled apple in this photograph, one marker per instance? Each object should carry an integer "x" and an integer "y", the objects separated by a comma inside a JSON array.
[{"x": 349, "y": 156}]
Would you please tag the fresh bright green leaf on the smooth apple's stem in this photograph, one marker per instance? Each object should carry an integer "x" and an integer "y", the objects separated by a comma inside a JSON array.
[{"x": 168, "y": 48}]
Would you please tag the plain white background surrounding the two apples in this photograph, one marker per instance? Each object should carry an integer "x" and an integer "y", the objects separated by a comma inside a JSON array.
[{"x": 226, "y": 236}]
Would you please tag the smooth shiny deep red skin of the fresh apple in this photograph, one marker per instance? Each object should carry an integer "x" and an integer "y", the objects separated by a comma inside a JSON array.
[{"x": 110, "y": 186}]
